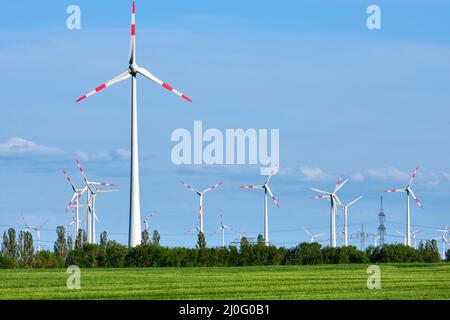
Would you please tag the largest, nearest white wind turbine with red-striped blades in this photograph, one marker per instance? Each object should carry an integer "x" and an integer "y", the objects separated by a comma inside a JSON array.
[{"x": 134, "y": 237}]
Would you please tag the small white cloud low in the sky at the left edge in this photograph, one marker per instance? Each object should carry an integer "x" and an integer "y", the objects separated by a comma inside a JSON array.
[{"x": 22, "y": 147}]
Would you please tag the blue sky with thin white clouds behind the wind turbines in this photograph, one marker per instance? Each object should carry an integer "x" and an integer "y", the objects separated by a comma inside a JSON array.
[{"x": 369, "y": 104}]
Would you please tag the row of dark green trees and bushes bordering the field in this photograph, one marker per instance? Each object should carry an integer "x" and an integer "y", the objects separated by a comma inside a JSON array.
[{"x": 17, "y": 251}]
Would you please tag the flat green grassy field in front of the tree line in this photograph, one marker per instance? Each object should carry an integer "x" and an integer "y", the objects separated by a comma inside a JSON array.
[{"x": 399, "y": 281}]
